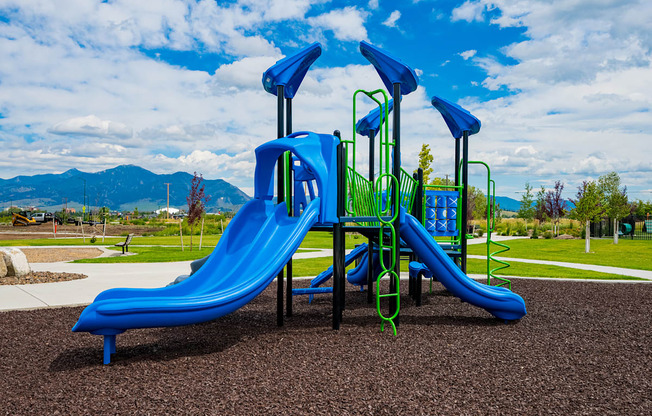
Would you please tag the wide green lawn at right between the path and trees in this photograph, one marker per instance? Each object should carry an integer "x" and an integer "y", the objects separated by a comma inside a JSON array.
[{"x": 632, "y": 254}]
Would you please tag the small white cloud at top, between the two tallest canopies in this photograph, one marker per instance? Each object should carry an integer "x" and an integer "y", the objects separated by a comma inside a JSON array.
[{"x": 347, "y": 24}]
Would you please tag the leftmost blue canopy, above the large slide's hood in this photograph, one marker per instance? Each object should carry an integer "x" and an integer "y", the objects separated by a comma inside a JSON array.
[{"x": 291, "y": 70}]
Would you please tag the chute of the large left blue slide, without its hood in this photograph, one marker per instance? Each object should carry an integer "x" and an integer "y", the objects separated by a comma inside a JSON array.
[{"x": 252, "y": 251}]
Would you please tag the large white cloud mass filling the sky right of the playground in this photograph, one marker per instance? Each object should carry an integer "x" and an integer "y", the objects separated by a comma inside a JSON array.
[{"x": 579, "y": 81}]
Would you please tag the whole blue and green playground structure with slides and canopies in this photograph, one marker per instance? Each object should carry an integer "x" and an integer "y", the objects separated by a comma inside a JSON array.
[{"x": 319, "y": 188}]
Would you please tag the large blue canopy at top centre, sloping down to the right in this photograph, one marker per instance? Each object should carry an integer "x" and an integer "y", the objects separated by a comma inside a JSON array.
[{"x": 390, "y": 69}]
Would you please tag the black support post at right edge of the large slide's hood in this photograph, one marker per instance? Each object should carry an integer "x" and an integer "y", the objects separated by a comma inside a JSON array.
[{"x": 338, "y": 240}]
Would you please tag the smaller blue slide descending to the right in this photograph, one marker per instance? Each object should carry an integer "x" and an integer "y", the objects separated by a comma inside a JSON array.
[{"x": 499, "y": 301}]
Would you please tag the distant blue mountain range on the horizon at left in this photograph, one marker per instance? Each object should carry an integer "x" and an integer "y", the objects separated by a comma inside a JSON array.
[{"x": 122, "y": 188}]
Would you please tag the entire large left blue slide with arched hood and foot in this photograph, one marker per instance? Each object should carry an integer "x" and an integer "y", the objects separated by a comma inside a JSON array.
[{"x": 254, "y": 248}]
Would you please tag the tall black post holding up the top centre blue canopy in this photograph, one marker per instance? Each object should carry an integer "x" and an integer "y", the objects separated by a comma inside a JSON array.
[{"x": 396, "y": 171}]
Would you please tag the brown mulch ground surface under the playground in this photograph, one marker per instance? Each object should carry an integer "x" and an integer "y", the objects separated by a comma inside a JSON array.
[{"x": 583, "y": 348}]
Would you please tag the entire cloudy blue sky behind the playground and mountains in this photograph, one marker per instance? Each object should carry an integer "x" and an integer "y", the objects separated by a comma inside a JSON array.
[{"x": 563, "y": 88}]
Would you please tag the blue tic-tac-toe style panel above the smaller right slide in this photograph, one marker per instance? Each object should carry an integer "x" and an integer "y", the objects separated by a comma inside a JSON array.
[{"x": 441, "y": 213}]
